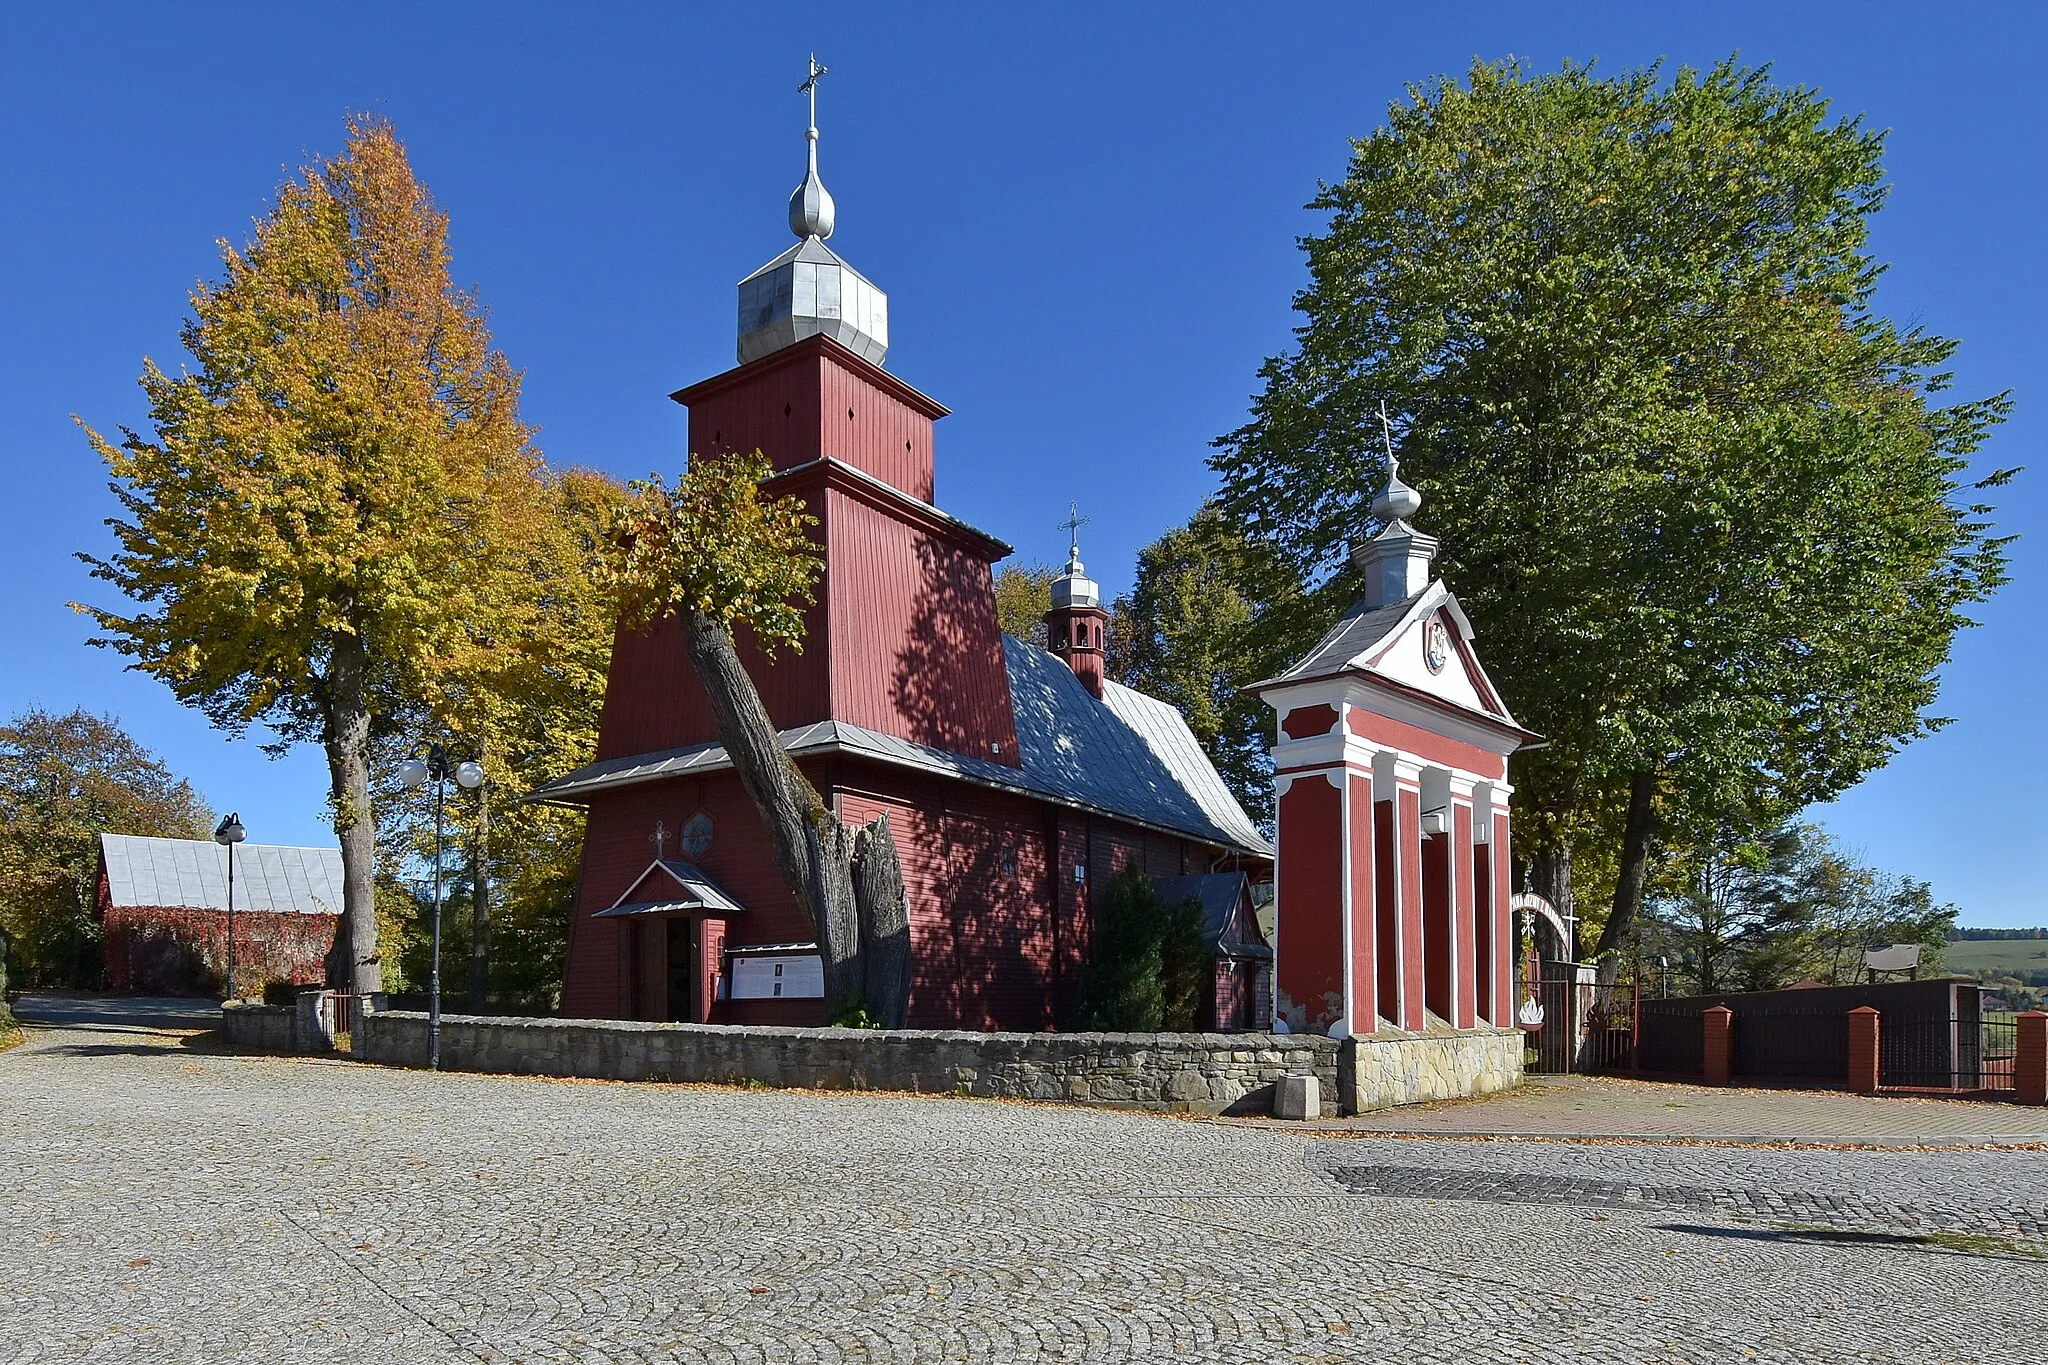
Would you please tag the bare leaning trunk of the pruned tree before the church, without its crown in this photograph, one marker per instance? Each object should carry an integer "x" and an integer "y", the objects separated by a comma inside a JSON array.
[{"x": 849, "y": 881}]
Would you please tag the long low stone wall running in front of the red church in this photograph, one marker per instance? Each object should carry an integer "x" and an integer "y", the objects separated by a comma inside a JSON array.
[{"x": 1193, "y": 1073}]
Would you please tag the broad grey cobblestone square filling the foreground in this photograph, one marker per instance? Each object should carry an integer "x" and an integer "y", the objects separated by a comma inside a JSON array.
[{"x": 165, "y": 1202}]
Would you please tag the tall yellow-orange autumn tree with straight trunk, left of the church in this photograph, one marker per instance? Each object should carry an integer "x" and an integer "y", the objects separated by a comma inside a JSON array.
[{"x": 321, "y": 513}]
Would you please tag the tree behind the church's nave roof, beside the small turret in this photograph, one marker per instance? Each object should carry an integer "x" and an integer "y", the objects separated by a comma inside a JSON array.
[{"x": 1195, "y": 629}]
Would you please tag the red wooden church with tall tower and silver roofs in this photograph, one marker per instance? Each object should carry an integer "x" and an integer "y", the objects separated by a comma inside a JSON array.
[{"x": 1017, "y": 779}]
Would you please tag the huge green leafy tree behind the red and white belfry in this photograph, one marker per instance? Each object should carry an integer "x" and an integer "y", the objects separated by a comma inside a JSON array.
[{"x": 1705, "y": 504}]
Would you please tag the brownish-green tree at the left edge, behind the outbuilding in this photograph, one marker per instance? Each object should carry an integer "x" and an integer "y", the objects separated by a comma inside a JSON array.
[{"x": 67, "y": 781}]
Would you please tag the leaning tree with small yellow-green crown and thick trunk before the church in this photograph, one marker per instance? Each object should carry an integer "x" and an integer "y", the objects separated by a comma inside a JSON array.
[{"x": 716, "y": 556}]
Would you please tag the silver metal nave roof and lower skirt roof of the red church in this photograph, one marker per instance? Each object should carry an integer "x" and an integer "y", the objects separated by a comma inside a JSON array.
[{"x": 1127, "y": 756}]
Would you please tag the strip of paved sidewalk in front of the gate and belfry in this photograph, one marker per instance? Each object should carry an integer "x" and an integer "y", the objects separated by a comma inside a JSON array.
[{"x": 1619, "y": 1108}]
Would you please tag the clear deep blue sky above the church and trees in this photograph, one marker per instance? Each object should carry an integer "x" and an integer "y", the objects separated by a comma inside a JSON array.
[{"x": 1084, "y": 218}]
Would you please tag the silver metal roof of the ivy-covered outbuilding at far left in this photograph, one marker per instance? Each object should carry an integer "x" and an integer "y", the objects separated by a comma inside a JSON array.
[{"x": 194, "y": 875}]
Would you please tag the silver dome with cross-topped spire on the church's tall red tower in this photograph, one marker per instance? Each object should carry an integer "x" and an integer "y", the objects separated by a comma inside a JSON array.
[{"x": 808, "y": 290}]
